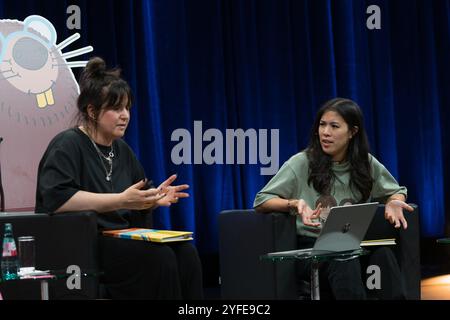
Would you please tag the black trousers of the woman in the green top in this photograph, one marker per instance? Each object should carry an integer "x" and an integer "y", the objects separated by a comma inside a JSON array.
[{"x": 346, "y": 280}]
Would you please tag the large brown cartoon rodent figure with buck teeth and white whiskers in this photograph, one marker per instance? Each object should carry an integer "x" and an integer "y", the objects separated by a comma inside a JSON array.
[{"x": 38, "y": 93}]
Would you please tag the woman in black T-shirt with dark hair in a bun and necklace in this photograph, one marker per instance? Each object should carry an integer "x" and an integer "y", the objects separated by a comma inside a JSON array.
[{"x": 90, "y": 168}]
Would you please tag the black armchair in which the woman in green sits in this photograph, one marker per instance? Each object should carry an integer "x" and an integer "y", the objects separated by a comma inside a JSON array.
[{"x": 244, "y": 235}]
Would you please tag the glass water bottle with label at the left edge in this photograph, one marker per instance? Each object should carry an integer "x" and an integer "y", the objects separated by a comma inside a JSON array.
[{"x": 10, "y": 261}]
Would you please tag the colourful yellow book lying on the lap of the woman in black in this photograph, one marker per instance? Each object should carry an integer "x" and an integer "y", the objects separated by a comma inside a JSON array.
[{"x": 153, "y": 235}]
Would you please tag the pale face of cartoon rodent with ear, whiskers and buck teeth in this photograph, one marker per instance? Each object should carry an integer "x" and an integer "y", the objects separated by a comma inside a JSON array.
[{"x": 30, "y": 59}]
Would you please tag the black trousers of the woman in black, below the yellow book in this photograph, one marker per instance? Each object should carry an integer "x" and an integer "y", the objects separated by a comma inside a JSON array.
[{"x": 145, "y": 270}]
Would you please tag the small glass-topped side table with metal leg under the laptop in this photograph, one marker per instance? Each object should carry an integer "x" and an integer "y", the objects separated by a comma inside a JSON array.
[{"x": 316, "y": 258}]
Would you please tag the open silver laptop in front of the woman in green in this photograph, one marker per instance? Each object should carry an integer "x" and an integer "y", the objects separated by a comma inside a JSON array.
[{"x": 343, "y": 230}]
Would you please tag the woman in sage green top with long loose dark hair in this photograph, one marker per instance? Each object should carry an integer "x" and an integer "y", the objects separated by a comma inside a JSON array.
[{"x": 336, "y": 164}]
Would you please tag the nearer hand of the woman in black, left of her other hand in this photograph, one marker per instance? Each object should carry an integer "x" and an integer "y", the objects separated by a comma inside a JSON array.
[{"x": 134, "y": 198}]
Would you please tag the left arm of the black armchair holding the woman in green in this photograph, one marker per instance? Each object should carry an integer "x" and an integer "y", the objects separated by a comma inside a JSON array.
[{"x": 244, "y": 236}]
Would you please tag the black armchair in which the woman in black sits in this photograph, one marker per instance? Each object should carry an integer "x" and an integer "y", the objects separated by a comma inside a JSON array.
[{"x": 61, "y": 240}]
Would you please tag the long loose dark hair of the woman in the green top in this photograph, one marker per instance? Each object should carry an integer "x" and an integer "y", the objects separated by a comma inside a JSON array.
[{"x": 321, "y": 174}]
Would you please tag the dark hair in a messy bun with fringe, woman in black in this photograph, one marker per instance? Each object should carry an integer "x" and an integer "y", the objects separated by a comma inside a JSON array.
[{"x": 100, "y": 88}]
